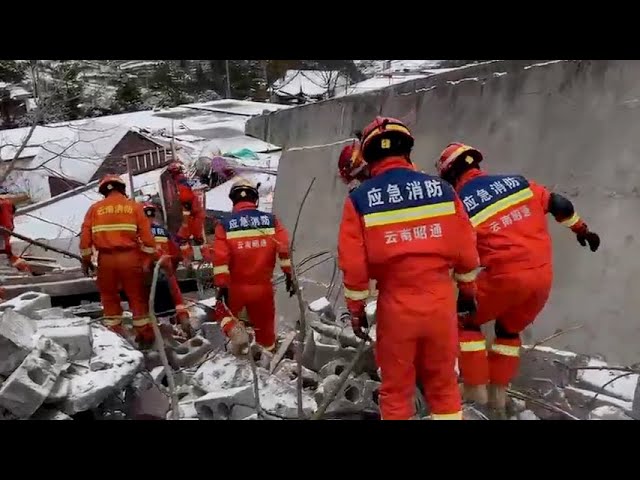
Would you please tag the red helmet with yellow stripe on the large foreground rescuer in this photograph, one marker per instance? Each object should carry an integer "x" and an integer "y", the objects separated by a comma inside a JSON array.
[{"x": 386, "y": 136}]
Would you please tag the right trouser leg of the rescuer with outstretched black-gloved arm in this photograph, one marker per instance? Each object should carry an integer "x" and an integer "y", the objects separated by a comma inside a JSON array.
[{"x": 504, "y": 357}]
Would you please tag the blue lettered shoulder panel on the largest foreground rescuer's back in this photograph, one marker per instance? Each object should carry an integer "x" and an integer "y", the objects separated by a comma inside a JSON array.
[{"x": 400, "y": 188}]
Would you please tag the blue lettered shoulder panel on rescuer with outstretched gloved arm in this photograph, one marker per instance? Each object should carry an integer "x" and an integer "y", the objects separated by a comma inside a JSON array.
[{"x": 487, "y": 190}]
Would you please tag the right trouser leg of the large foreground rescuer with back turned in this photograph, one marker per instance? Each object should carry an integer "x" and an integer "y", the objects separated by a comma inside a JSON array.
[{"x": 437, "y": 352}]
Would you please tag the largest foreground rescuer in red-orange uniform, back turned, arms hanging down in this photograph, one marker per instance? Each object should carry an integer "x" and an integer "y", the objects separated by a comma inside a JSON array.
[{"x": 407, "y": 230}]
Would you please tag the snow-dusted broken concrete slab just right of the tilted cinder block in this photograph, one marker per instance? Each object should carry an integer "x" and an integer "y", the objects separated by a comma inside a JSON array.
[{"x": 90, "y": 388}]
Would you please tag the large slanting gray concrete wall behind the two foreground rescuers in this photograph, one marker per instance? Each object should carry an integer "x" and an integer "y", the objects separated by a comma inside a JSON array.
[{"x": 572, "y": 125}]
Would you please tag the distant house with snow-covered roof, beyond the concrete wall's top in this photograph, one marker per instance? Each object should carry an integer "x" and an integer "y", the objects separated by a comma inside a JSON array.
[{"x": 302, "y": 86}]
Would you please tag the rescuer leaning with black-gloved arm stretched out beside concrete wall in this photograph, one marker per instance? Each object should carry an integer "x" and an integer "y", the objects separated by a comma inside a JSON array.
[{"x": 508, "y": 213}]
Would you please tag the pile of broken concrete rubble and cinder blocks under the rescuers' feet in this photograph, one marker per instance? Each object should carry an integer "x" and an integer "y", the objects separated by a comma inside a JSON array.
[{"x": 62, "y": 364}]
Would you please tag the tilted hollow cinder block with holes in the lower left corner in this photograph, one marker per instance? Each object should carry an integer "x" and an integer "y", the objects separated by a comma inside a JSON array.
[{"x": 32, "y": 382}]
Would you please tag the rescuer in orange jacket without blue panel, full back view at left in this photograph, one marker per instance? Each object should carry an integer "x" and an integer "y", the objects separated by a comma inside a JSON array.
[{"x": 119, "y": 230}]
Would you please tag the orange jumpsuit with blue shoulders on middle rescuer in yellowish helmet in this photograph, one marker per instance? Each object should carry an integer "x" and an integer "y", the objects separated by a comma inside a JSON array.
[{"x": 244, "y": 255}]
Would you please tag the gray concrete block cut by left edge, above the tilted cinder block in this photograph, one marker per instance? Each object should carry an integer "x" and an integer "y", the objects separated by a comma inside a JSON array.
[{"x": 16, "y": 340}]
